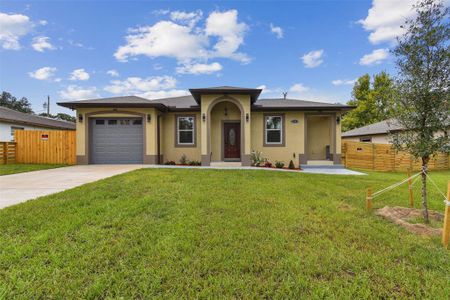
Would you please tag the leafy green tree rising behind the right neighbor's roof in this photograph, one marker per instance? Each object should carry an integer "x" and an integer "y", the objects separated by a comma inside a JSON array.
[{"x": 372, "y": 101}]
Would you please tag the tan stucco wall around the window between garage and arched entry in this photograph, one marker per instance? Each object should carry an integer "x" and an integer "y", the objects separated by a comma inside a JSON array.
[{"x": 168, "y": 135}]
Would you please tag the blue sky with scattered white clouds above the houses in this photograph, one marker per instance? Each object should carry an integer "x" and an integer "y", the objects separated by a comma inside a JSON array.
[{"x": 312, "y": 49}]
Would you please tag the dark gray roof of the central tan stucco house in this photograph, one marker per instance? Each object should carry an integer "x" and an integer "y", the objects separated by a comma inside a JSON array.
[{"x": 189, "y": 102}]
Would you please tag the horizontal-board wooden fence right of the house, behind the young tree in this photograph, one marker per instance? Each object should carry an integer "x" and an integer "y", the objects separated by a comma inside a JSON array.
[{"x": 383, "y": 157}]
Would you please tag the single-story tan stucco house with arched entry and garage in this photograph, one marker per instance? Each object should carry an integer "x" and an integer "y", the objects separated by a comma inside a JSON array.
[{"x": 217, "y": 124}]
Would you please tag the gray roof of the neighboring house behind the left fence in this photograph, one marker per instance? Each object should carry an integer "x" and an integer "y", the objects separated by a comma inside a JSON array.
[{"x": 16, "y": 117}]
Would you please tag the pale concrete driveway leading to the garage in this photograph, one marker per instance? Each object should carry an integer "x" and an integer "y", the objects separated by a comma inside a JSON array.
[{"x": 17, "y": 188}]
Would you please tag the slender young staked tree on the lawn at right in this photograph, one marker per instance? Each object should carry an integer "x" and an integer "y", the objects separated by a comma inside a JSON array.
[{"x": 422, "y": 106}]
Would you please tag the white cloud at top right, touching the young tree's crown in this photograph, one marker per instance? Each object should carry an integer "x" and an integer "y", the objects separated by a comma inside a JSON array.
[{"x": 385, "y": 17}]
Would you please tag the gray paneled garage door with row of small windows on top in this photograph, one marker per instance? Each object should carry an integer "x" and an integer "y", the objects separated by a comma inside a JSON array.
[{"x": 116, "y": 140}]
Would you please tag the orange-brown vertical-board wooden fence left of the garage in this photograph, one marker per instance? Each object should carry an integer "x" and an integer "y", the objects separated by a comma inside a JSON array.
[{"x": 45, "y": 147}]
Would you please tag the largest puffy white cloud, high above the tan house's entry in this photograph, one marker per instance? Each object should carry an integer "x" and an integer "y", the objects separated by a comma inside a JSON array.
[{"x": 180, "y": 38}]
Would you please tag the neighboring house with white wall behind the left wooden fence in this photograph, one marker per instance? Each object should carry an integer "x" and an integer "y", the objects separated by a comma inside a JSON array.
[{"x": 12, "y": 120}]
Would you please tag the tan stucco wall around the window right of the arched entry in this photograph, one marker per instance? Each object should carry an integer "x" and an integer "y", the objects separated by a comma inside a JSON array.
[{"x": 294, "y": 137}]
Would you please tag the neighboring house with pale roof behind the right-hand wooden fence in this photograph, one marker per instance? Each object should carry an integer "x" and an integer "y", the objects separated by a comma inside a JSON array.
[{"x": 375, "y": 133}]
